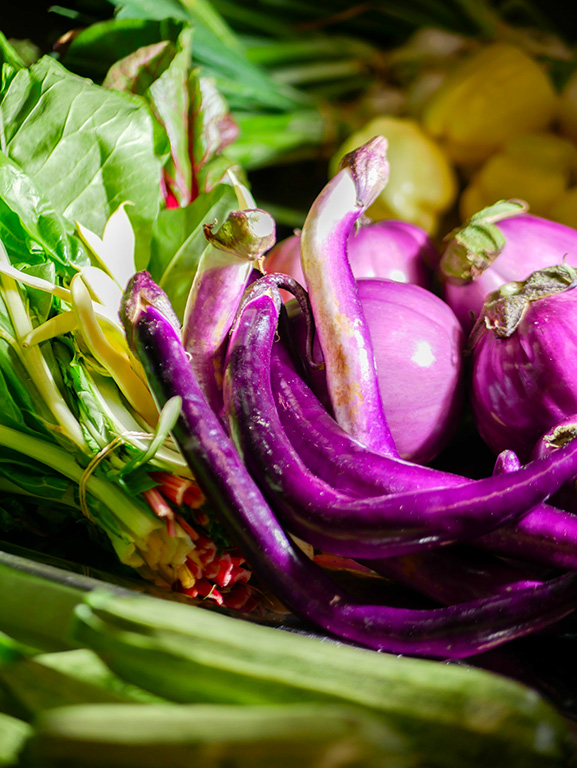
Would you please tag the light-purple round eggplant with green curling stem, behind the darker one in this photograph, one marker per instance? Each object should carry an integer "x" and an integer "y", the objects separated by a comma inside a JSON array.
[{"x": 479, "y": 258}]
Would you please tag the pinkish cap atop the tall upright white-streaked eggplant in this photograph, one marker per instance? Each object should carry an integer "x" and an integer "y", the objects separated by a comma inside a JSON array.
[{"x": 369, "y": 168}]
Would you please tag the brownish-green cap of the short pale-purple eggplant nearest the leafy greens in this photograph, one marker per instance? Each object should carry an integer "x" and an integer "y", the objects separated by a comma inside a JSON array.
[{"x": 245, "y": 234}]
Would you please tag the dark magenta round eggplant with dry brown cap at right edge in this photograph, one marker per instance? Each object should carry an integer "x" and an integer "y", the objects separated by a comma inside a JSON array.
[{"x": 523, "y": 358}]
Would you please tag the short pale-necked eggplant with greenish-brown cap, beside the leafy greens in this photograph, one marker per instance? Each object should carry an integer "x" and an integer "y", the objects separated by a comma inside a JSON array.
[{"x": 222, "y": 275}]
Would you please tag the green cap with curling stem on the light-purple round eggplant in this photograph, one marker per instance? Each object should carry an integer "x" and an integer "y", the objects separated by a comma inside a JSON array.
[{"x": 472, "y": 248}]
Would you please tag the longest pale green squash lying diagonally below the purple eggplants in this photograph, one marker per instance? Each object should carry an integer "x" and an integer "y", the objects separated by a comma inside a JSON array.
[{"x": 449, "y": 715}]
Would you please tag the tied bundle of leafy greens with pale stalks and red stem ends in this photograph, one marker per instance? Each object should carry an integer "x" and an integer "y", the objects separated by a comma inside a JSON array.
[{"x": 87, "y": 175}]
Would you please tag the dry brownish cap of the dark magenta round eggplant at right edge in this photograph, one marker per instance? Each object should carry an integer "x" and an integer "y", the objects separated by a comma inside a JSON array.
[{"x": 504, "y": 308}]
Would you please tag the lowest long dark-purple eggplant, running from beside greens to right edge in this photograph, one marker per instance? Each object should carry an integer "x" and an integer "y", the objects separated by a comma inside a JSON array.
[{"x": 455, "y": 632}]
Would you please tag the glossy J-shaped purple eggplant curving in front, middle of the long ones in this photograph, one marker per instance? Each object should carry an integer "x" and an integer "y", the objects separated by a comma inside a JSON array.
[{"x": 372, "y": 527}]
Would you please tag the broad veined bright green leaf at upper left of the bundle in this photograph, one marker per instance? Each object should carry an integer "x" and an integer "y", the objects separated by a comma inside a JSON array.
[{"x": 87, "y": 149}]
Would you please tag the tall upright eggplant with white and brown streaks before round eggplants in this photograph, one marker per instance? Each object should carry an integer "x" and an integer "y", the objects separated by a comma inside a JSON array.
[{"x": 340, "y": 323}]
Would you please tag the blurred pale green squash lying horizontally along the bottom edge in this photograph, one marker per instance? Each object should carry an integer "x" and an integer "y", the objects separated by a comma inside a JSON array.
[{"x": 125, "y": 736}]
